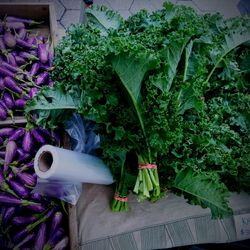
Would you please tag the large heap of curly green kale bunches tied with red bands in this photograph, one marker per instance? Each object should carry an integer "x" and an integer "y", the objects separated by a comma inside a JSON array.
[{"x": 169, "y": 94}]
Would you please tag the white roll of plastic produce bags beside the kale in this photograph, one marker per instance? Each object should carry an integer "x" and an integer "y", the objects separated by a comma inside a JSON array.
[{"x": 53, "y": 163}]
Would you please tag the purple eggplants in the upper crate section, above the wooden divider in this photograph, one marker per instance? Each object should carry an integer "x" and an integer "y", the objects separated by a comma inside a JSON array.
[{"x": 25, "y": 62}]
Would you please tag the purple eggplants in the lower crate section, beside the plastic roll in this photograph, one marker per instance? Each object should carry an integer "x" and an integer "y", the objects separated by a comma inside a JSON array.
[{"x": 27, "y": 219}]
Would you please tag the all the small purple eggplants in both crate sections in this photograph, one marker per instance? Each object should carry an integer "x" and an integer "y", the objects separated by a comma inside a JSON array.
[{"x": 27, "y": 219}]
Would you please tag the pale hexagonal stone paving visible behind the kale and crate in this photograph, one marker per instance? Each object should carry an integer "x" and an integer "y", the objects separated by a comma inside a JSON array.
[{"x": 71, "y": 11}]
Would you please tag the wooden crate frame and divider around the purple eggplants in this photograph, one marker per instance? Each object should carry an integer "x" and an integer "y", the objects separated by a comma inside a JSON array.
[{"x": 45, "y": 13}]
